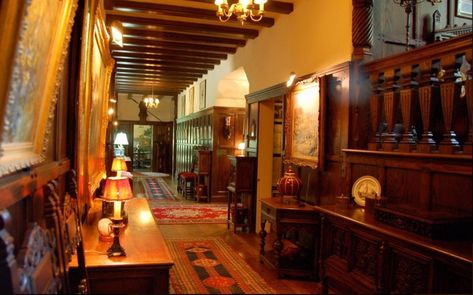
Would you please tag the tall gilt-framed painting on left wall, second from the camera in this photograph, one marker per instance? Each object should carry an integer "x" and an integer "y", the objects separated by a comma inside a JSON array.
[{"x": 96, "y": 68}]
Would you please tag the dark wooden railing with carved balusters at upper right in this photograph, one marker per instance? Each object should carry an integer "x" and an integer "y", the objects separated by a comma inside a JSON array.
[{"x": 421, "y": 100}]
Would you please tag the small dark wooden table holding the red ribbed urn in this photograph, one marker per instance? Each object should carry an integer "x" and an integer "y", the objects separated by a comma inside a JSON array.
[{"x": 295, "y": 247}]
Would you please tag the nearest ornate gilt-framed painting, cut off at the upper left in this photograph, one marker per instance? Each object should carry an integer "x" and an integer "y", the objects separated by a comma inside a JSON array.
[{"x": 32, "y": 84}]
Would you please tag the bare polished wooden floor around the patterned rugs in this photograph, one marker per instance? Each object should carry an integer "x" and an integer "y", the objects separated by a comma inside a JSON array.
[{"x": 247, "y": 246}]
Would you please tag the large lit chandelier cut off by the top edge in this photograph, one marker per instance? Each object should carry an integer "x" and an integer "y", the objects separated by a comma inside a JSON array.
[{"x": 243, "y": 10}]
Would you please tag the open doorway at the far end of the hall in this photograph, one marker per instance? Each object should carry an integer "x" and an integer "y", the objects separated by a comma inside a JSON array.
[{"x": 142, "y": 147}]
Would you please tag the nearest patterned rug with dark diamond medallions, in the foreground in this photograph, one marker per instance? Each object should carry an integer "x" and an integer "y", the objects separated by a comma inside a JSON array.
[{"x": 210, "y": 266}]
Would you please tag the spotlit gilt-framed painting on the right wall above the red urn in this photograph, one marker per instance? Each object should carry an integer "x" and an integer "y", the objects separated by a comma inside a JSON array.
[{"x": 304, "y": 124}]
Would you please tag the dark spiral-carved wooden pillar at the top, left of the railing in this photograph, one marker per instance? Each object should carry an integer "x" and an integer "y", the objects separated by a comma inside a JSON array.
[{"x": 362, "y": 28}]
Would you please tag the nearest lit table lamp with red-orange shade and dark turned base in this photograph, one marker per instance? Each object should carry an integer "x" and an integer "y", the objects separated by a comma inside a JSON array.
[{"x": 117, "y": 190}]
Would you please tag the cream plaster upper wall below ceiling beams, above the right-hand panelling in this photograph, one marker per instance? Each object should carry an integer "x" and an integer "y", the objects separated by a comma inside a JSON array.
[{"x": 315, "y": 36}]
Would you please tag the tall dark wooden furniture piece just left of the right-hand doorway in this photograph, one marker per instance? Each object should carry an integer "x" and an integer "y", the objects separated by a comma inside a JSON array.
[{"x": 241, "y": 193}]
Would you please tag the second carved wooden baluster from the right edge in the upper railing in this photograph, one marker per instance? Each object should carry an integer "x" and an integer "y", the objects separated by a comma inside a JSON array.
[{"x": 449, "y": 143}]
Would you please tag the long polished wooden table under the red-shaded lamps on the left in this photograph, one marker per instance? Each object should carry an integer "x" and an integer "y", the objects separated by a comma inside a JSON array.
[{"x": 145, "y": 269}]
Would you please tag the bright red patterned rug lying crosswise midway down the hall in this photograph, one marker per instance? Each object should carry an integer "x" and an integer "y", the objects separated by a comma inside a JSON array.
[{"x": 184, "y": 213}]
